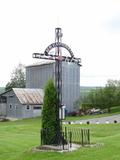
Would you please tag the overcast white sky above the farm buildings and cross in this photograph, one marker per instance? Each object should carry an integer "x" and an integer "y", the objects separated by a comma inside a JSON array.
[{"x": 91, "y": 28}]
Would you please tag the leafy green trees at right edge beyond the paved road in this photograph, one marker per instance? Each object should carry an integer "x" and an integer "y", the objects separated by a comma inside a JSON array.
[{"x": 105, "y": 97}]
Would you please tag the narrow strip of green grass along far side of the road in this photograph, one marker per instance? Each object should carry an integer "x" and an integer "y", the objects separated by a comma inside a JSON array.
[{"x": 114, "y": 111}]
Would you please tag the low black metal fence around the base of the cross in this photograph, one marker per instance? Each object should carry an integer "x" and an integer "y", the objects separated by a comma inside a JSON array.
[{"x": 65, "y": 139}]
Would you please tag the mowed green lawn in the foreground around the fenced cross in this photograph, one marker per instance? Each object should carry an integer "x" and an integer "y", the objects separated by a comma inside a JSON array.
[{"x": 18, "y": 138}]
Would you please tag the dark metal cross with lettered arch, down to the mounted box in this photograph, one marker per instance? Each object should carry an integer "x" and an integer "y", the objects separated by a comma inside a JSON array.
[{"x": 58, "y": 58}]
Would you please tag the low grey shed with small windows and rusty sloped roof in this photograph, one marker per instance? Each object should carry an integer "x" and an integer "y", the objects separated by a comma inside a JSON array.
[{"x": 21, "y": 103}]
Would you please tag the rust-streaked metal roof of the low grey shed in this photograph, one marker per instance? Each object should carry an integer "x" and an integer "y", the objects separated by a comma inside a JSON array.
[{"x": 29, "y": 96}]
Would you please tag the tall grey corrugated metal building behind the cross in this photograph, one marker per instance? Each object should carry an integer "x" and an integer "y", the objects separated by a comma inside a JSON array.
[{"x": 38, "y": 74}]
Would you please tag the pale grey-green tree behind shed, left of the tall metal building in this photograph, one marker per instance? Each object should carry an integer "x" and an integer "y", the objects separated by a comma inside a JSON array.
[{"x": 17, "y": 78}]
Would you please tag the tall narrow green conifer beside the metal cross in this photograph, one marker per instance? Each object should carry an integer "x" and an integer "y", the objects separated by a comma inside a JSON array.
[{"x": 50, "y": 115}]
